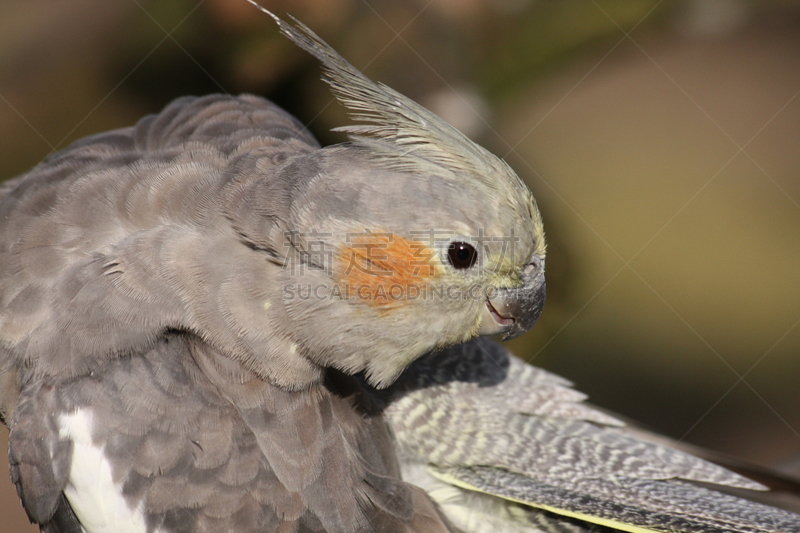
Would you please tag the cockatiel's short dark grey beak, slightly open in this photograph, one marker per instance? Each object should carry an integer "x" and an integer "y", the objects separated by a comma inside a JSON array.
[{"x": 514, "y": 311}]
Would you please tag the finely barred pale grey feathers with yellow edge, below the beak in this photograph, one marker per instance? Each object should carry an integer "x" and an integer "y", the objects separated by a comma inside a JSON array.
[{"x": 477, "y": 417}]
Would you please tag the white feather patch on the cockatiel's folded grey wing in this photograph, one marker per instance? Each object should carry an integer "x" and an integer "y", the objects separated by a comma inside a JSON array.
[{"x": 98, "y": 502}]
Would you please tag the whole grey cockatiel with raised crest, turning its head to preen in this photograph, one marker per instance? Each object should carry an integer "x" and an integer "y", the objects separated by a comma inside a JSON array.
[{"x": 210, "y": 323}]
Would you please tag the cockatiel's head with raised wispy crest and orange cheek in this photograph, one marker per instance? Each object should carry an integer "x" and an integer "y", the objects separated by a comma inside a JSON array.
[{"x": 406, "y": 239}]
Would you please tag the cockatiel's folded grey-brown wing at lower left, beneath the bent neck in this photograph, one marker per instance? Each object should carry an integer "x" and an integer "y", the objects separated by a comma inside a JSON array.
[{"x": 196, "y": 443}]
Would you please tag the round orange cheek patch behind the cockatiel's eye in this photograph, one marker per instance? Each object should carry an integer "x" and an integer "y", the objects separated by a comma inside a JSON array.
[{"x": 384, "y": 269}]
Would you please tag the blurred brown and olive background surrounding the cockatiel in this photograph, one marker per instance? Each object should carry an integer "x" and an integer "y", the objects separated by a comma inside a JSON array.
[{"x": 661, "y": 139}]
